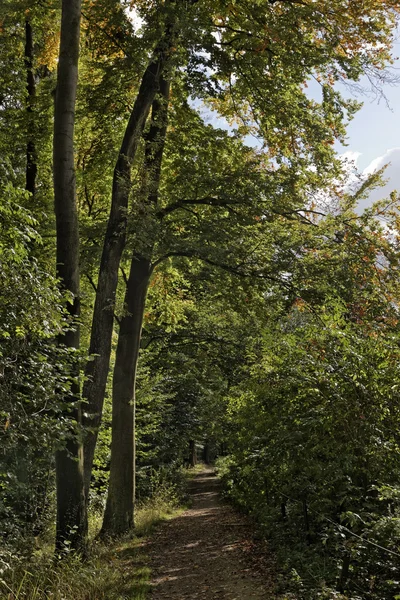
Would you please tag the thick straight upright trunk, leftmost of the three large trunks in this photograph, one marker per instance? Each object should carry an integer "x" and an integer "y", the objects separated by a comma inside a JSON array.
[{"x": 71, "y": 506}]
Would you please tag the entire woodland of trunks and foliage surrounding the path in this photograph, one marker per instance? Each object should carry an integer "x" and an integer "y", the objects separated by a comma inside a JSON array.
[{"x": 170, "y": 287}]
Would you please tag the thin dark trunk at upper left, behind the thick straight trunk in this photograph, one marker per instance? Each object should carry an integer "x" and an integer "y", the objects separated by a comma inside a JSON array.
[{"x": 31, "y": 158}]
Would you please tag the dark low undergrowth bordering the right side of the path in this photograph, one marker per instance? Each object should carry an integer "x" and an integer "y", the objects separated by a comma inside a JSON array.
[{"x": 311, "y": 561}]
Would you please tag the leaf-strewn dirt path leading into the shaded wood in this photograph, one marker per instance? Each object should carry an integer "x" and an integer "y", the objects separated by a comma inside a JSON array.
[{"x": 207, "y": 552}]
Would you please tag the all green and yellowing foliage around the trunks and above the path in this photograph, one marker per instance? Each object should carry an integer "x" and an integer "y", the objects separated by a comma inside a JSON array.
[{"x": 269, "y": 329}]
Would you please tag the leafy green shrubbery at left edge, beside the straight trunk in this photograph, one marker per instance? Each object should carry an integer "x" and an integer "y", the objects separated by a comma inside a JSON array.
[{"x": 34, "y": 372}]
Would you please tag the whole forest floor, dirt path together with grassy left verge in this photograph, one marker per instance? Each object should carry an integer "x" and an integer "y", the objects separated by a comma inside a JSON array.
[{"x": 207, "y": 552}]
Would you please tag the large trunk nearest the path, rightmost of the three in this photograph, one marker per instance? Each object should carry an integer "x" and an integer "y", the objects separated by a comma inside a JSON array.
[{"x": 119, "y": 515}]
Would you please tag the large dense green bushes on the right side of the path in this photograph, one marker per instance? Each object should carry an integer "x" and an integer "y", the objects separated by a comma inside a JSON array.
[{"x": 314, "y": 425}]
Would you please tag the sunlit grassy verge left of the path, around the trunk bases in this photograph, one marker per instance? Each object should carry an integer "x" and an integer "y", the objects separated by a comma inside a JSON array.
[{"x": 115, "y": 570}]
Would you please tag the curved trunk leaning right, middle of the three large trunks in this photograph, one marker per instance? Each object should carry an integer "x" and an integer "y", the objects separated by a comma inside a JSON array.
[{"x": 102, "y": 325}]
